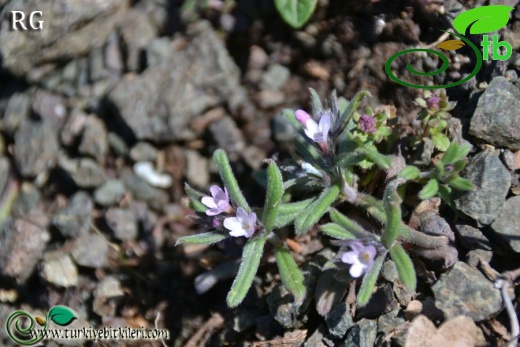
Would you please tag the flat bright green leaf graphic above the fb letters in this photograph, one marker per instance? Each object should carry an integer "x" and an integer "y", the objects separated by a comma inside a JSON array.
[{"x": 482, "y": 19}]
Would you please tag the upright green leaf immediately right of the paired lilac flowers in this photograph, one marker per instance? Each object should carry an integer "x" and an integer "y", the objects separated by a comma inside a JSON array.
[{"x": 273, "y": 196}]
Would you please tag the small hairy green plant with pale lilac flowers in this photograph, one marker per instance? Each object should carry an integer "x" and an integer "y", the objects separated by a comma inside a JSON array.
[{"x": 336, "y": 146}]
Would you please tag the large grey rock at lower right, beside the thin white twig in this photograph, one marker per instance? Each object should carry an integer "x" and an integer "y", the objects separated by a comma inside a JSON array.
[{"x": 463, "y": 290}]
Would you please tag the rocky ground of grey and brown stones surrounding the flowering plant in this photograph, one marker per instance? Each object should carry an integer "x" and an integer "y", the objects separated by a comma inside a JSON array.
[{"x": 115, "y": 104}]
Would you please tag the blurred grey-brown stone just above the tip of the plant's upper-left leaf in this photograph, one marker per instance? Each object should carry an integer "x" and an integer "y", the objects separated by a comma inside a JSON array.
[{"x": 228, "y": 136}]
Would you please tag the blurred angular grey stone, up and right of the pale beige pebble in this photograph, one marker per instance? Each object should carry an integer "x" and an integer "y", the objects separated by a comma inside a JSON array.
[{"x": 75, "y": 219}]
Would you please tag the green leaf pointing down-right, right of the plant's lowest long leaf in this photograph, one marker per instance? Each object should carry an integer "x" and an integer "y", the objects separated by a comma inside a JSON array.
[{"x": 292, "y": 277}]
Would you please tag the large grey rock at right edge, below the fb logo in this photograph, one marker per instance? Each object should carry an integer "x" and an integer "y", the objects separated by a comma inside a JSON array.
[{"x": 496, "y": 119}]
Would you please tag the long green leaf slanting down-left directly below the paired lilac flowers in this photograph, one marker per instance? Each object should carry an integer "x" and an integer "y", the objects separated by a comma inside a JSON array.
[{"x": 246, "y": 273}]
